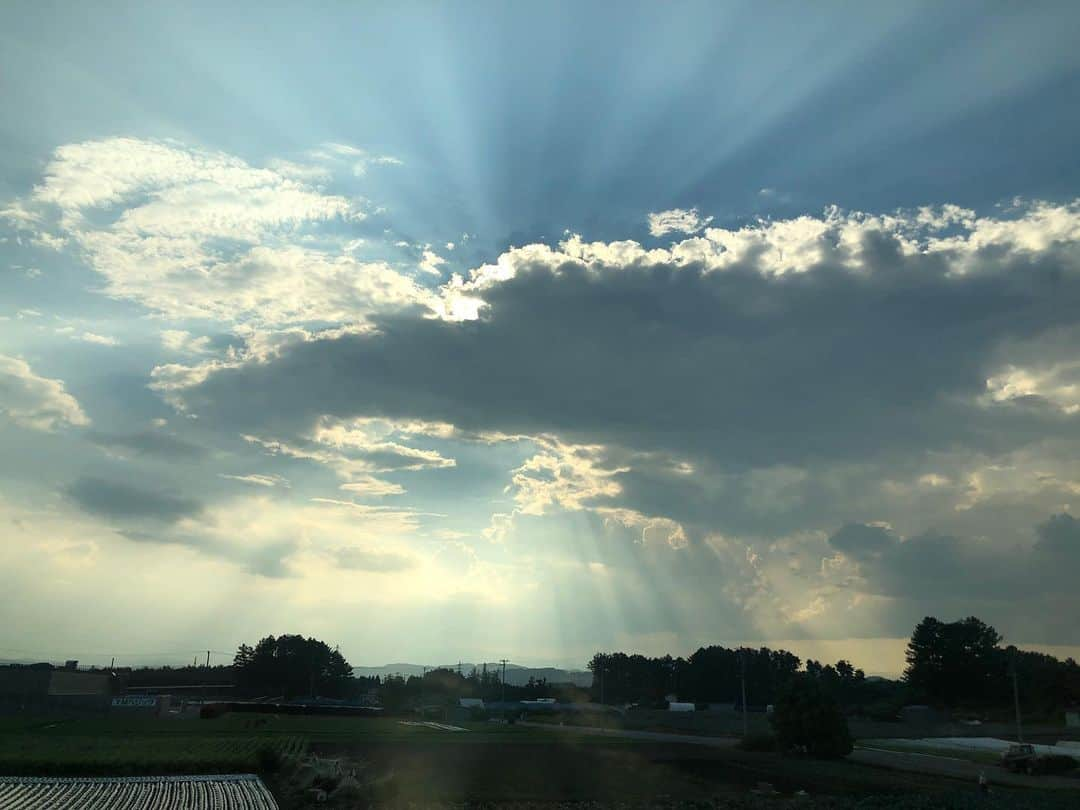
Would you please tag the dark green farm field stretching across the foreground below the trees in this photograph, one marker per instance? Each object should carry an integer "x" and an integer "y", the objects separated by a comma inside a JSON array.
[{"x": 488, "y": 763}]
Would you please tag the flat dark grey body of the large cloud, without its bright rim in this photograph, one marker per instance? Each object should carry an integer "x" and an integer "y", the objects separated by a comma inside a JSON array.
[{"x": 737, "y": 367}]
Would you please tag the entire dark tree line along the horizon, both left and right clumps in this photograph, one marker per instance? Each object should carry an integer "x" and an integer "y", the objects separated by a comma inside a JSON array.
[{"x": 954, "y": 666}]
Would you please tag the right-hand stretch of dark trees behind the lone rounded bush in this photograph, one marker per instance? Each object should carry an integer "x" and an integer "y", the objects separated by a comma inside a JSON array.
[{"x": 955, "y": 666}]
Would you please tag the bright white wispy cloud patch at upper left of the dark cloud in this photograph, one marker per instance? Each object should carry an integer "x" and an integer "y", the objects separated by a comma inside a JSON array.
[{"x": 194, "y": 234}]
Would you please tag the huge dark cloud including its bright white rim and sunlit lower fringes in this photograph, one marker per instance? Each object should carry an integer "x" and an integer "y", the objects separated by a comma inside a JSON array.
[{"x": 763, "y": 385}]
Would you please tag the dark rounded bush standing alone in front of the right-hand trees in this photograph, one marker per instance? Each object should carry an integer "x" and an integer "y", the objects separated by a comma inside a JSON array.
[{"x": 808, "y": 721}]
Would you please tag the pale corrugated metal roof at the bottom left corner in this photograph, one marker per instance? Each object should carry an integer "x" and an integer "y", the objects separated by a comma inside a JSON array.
[{"x": 228, "y": 792}]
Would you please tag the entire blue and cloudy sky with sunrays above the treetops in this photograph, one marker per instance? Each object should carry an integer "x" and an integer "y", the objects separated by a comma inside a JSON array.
[{"x": 475, "y": 331}]
